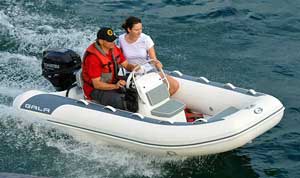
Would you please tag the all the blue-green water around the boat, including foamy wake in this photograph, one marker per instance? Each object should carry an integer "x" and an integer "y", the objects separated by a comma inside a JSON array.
[{"x": 252, "y": 44}]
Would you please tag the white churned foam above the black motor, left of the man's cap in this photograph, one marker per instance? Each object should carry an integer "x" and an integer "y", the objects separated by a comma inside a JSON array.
[{"x": 33, "y": 32}]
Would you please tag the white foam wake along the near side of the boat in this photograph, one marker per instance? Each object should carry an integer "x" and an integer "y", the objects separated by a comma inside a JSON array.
[{"x": 82, "y": 159}]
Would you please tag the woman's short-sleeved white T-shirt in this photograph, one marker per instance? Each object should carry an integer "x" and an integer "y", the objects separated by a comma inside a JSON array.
[{"x": 136, "y": 52}]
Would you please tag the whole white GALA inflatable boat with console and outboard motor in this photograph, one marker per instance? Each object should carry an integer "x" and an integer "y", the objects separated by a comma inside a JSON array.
[{"x": 226, "y": 116}]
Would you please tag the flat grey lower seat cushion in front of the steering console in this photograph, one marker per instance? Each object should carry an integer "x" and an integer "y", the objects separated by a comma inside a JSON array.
[{"x": 168, "y": 109}]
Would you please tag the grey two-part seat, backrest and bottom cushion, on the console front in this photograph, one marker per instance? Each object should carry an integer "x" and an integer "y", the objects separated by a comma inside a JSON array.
[{"x": 168, "y": 109}]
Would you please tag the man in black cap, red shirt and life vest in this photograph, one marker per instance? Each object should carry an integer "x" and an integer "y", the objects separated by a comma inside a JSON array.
[{"x": 100, "y": 69}]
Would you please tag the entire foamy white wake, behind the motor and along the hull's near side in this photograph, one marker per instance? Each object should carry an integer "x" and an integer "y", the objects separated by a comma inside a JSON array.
[{"x": 35, "y": 147}]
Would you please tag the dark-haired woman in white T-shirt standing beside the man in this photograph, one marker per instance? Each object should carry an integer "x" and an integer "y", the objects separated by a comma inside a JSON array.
[{"x": 139, "y": 47}]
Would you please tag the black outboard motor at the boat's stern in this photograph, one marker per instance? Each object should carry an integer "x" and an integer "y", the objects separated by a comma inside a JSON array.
[{"x": 59, "y": 67}]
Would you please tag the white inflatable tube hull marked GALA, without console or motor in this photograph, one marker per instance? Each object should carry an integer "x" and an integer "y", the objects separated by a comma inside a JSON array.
[{"x": 235, "y": 116}]
